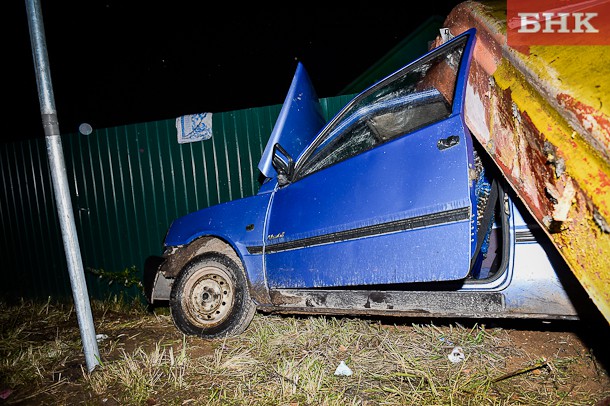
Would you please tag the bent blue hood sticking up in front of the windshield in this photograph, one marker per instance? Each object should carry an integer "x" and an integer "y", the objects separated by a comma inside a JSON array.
[{"x": 299, "y": 121}]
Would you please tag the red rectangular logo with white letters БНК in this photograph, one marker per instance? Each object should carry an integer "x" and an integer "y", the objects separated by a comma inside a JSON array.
[{"x": 558, "y": 22}]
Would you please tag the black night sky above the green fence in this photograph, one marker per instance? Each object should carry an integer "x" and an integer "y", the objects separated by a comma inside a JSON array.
[{"x": 124, "y": 62}]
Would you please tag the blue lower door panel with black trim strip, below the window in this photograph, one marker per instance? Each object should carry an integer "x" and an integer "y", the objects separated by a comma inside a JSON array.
[{"x": 359, "y": 223}]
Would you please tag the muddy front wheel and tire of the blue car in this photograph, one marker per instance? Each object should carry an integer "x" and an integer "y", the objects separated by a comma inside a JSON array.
[{"x": 210, "y": 298}]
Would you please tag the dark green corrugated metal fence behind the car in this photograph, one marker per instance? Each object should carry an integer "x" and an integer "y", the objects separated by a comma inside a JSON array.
[{"x": 127, "y": 185}]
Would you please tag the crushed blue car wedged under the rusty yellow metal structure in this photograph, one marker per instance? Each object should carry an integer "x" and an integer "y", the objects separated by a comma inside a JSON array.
[{"x": 391, "y": 208}]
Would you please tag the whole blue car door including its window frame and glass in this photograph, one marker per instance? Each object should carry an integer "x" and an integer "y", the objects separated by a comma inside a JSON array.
[{"x": 383, "y": 194}]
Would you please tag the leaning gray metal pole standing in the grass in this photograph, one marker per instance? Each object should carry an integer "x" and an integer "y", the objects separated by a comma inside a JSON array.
[{"x": 60, "y": 184}]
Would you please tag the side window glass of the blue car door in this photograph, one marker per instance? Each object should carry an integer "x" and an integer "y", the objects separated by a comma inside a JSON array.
[{"x": 416, "y": 96}]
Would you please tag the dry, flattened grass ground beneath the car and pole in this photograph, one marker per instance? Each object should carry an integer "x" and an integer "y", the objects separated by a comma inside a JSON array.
[{"x": 277, "y": 361}]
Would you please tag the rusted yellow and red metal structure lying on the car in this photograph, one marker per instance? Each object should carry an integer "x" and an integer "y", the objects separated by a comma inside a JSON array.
[{"x": 544, "y": 118}]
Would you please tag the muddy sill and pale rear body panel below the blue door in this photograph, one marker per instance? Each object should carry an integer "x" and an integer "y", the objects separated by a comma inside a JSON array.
[{"x": 528, "y": 287}]
